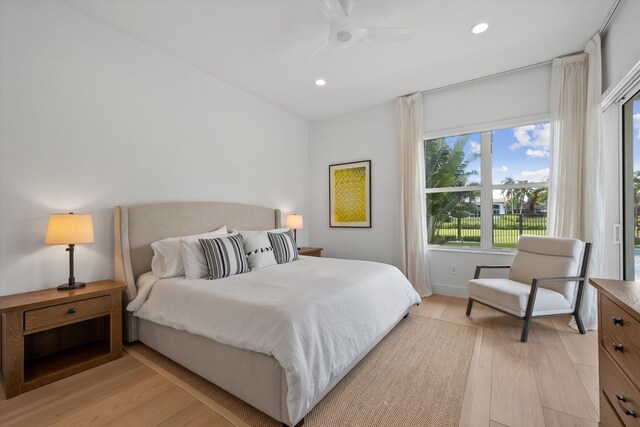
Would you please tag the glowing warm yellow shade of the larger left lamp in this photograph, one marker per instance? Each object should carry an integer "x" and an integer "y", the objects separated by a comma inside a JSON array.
[{"x": 69, "y": 229}]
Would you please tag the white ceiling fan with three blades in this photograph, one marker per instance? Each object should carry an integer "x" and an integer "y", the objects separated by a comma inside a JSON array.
[{"x": 342, "y": 32}]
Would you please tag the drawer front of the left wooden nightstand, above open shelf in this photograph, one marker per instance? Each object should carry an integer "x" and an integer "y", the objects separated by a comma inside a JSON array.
[{"x": 44, "y": 318}]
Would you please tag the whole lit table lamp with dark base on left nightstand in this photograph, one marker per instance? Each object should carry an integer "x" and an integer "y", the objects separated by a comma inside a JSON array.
[{"x": 69, "y": 229}]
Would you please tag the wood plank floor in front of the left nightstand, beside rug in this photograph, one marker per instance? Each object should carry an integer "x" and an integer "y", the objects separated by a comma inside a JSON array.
[{"x": 124, "y": 392}]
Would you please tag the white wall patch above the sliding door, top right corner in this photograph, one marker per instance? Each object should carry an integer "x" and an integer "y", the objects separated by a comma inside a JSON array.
[{"x": 620, "y": 45}]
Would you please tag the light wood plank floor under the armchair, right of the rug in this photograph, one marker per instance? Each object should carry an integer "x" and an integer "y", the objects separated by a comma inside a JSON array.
[{"x": 550, "y": 381}]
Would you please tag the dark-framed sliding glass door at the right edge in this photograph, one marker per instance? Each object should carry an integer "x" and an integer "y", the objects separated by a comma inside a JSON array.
[{"x": 631, "y": 185}]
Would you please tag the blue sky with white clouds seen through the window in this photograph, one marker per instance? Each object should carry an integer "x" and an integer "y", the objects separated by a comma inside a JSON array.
[{"x": 521, "y": 152}]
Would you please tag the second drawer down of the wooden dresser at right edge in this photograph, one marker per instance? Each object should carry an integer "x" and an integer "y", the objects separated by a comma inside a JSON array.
[{"x": 623, "y": 395}]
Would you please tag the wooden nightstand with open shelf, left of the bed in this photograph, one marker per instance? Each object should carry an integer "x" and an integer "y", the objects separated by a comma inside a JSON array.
[{"x": 50, "y": 334}]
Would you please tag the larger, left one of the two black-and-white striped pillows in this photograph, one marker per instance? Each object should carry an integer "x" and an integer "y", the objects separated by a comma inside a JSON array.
[{"x": 225, "y": 256}]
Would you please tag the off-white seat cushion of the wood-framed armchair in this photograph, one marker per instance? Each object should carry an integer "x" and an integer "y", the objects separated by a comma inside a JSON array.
[{"x": 511, "y": 296}]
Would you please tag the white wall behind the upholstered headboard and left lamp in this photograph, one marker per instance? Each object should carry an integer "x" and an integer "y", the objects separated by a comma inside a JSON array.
[{"x": 91, "y": 118}]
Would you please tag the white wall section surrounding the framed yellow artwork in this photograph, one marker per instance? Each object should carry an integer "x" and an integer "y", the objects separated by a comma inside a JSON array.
[{"x": 365, "y": 135}]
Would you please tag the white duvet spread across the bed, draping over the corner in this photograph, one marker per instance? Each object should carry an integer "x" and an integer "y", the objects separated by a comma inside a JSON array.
[{"x": 314, "y": 316}]
